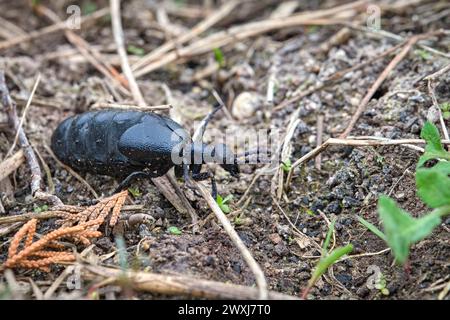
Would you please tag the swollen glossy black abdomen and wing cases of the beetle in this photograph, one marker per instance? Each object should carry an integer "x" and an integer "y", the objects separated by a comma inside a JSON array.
[{"x": 117, "y": 143}]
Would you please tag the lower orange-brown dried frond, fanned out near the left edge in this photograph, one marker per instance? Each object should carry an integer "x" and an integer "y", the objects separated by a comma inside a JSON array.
[{"x": 36, "y": 255}]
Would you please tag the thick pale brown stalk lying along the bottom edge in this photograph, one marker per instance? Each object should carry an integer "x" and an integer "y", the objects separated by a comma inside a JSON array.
[{"x": 179, "y": 284}]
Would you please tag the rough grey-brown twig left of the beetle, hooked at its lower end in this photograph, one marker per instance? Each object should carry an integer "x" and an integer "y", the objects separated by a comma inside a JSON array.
[{"x": 36, "y": 174}]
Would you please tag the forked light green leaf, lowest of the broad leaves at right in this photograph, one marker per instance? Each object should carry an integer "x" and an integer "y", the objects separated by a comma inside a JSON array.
[{"x": 401, "y": 229}]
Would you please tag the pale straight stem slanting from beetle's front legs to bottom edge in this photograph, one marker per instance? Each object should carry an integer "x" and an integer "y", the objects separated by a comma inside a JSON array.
[{"x": 248, "y": 258}]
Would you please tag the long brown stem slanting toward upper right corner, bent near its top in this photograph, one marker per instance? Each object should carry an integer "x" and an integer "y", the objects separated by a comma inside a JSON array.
[{"x": 394, "y": 62}]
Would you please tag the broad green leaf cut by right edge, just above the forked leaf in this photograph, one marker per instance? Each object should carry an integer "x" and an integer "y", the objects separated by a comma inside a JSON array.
[{"x": 433, "y": 184}]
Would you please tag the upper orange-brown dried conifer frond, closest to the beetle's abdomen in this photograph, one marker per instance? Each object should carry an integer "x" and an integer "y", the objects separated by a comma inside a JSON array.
[{"x": 113, "y": 204}]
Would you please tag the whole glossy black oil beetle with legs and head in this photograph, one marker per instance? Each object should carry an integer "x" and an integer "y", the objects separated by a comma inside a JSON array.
[{"x": 134, "y": 144}]
